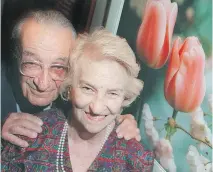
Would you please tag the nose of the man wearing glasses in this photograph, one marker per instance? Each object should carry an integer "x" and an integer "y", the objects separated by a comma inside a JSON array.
[{"x": 43, "y": 80}]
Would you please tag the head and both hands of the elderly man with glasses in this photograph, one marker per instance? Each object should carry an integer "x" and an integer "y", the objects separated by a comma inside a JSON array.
[{"x": 44, "y": 40}]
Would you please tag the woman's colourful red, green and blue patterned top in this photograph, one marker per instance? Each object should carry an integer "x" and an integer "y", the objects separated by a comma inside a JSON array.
[{"x": 116, "y": 155}]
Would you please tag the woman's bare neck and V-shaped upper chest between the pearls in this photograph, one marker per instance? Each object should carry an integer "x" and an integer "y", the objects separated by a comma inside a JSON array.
[{"x": 84, "y": 146}]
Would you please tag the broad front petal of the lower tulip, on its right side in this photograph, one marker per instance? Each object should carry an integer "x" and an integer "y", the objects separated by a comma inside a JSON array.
[{"x": 188, "y": 82}]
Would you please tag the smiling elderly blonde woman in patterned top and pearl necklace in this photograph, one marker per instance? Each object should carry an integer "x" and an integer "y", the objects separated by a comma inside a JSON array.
[{"x": 102, "y": 82}]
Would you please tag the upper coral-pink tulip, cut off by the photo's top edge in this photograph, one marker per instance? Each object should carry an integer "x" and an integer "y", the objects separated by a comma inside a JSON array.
[{"x": 155, "y": 32}]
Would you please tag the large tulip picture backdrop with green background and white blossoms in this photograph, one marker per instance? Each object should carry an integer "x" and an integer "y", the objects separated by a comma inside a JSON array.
[{"x": 180, "y": 20}]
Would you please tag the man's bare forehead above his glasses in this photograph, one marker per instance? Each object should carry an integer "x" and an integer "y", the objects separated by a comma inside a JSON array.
[{"x": 41, "y": 38}]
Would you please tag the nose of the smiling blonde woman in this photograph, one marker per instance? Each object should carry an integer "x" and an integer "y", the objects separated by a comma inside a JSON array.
[{"x": 98, "y": 106}]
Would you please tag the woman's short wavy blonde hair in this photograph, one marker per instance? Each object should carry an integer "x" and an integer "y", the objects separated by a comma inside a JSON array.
[{"x": 111, "y": 47}]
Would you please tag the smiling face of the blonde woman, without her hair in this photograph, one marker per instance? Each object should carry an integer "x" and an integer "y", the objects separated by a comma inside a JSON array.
[{"x": 98, "y": 93}]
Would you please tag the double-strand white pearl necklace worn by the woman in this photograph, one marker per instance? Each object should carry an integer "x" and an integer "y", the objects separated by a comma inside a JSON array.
[{"x": 60, "y": 152}]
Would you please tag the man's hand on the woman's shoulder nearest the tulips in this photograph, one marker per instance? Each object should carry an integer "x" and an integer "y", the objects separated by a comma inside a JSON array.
[{"x": 128, "y": 127}]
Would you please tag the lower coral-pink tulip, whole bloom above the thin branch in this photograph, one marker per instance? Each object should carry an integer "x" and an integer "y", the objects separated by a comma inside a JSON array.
[{"x": 184, "y": 87}]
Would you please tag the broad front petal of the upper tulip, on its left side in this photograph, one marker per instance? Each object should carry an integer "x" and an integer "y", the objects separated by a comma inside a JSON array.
[{"x": 152, "y": 33}]
